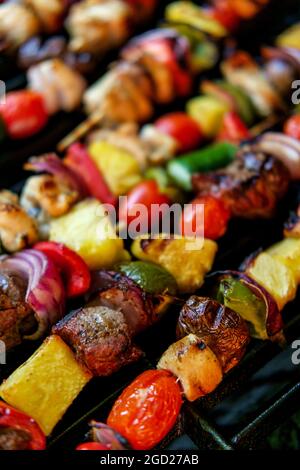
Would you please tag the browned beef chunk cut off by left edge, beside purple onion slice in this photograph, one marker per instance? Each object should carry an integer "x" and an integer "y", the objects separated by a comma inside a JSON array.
[{"x": 16, "y": 317}]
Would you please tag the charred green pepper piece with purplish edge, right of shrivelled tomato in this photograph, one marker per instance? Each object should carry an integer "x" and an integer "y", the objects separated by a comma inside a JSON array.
[{"x": 252, "y": 302}]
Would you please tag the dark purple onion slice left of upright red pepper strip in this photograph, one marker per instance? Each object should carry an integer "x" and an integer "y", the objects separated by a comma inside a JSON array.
[{"x": 50, "y": 163}]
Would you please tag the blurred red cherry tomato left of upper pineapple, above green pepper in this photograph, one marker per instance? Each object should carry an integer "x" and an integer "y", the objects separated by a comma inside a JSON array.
[{"x": 183, "y": 129}]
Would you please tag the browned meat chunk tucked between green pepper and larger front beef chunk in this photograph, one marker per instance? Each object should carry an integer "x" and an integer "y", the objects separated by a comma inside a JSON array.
[{"x": 118, "y": 292}]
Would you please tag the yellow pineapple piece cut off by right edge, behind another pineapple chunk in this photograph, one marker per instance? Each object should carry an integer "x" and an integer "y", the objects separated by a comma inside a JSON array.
[{"x": 288, "y": 252}]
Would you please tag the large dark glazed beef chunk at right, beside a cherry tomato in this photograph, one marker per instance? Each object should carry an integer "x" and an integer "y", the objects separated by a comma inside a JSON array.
[{"x": 251, "y": 186}]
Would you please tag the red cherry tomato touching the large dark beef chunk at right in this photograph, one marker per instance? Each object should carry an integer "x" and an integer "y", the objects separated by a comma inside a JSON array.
[{"x": 216, "y": 217}]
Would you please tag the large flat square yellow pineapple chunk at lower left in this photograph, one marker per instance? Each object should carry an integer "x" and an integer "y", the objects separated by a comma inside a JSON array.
[{"x": 46, "y": 384}]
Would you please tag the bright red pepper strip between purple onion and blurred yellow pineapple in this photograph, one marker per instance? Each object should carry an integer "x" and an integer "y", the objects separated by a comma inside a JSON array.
[{"x": 82, "y": 164}]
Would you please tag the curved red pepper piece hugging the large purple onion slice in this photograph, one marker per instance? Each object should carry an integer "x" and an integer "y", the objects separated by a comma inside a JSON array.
[{"x": 74, "y": 270}]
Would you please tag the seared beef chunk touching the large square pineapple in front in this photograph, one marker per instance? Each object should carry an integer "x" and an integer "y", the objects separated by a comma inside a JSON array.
[{"x": 100, "y": 337}]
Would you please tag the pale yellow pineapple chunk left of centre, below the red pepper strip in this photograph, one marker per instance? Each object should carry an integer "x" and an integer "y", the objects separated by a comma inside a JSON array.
[{"x": 88, "y": 231}]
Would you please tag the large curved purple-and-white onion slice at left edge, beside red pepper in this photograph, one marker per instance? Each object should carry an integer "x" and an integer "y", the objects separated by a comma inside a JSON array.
[{"x": 45, "y": 291}]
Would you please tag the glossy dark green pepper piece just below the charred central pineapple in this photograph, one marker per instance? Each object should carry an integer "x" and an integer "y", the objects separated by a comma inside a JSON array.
[{"x": 150, "y": 277}]
